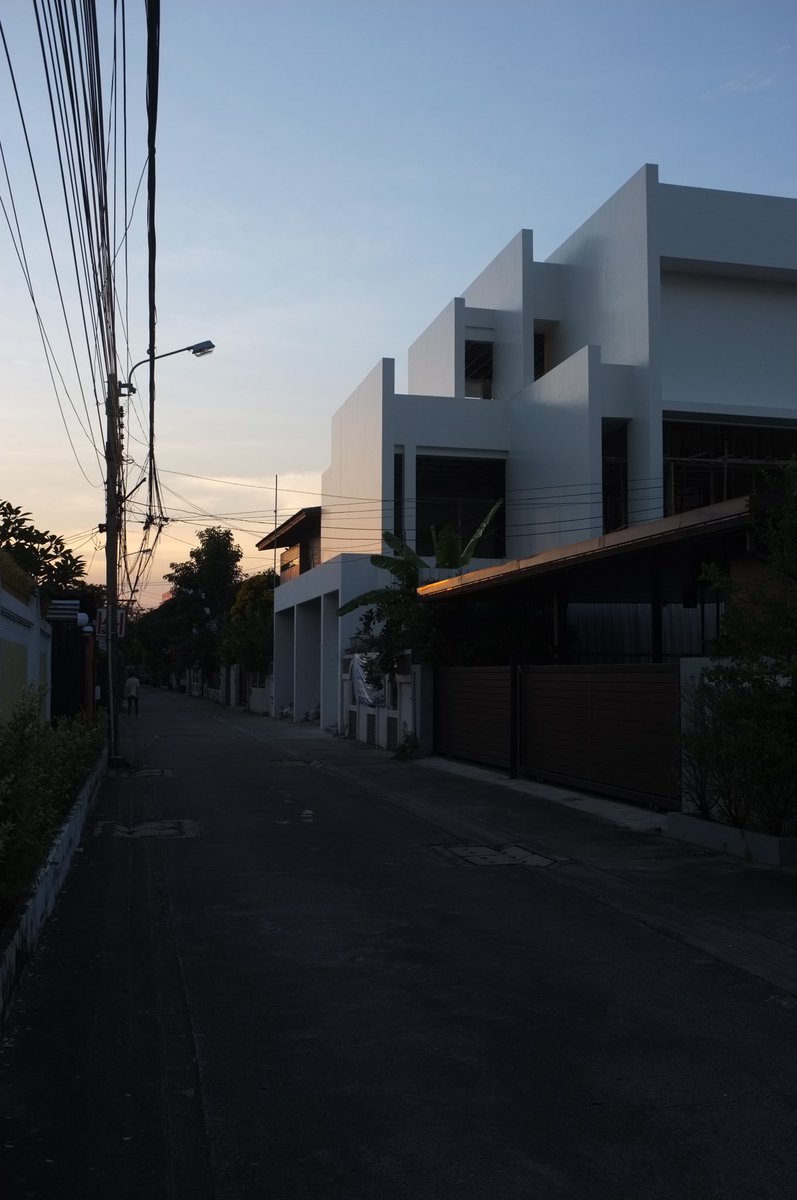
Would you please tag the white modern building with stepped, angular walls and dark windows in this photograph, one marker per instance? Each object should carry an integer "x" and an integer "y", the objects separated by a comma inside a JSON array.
[{"x": 646, "y": 368}]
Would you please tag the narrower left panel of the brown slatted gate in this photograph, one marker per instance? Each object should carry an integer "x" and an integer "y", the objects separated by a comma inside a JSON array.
[{"x": 472, "y": 715}]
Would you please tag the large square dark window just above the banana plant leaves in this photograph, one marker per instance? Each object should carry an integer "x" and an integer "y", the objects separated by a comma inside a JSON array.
[{"x": 460, "y": 493}]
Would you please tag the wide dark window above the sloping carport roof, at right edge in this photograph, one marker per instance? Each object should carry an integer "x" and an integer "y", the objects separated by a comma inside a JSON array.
[{"x": 706, "y": 463}]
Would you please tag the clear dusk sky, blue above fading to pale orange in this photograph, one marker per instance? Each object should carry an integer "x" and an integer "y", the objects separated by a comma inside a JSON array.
[{"x": 331, "y": 173}]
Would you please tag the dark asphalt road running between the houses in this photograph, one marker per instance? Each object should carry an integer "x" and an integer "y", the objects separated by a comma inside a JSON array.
[{"x": 272, "y": 976}]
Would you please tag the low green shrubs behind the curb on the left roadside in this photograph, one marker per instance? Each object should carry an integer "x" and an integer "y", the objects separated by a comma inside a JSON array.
[{"x": 43, "y": 769}]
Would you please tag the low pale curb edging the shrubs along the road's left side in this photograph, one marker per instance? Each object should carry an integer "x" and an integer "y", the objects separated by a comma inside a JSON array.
[{"x": 21, "y": 935}]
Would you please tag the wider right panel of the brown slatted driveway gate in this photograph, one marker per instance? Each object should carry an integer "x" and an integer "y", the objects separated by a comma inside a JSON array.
[{"x": 606, "y": 728}]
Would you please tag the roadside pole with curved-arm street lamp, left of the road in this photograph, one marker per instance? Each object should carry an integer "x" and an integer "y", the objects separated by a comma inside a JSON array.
[{"x": 115, "y": 505}]
